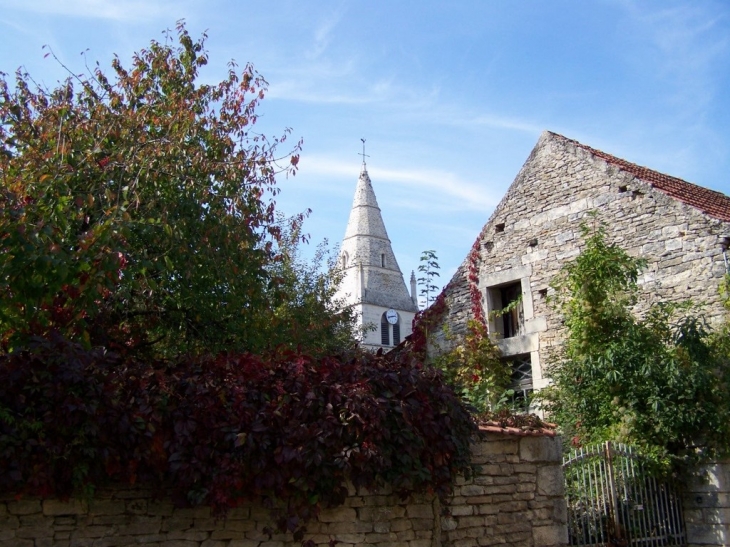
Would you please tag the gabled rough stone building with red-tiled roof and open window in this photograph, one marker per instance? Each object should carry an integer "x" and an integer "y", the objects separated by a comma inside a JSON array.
[{"x": 681, "y": 229}]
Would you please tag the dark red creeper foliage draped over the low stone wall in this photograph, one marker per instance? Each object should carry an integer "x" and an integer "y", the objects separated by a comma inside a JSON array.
[{"x": 227, "y": 428}]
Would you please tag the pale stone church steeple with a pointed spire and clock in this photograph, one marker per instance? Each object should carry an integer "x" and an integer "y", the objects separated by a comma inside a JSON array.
[{"x": 373, "y": 283}]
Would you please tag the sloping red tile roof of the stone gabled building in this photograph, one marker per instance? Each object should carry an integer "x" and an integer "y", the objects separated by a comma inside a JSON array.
[{"x": 714, "y": 204}]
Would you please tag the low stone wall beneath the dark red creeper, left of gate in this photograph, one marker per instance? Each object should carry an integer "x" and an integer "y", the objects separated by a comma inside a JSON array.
[{"x": 514, "y": 499}]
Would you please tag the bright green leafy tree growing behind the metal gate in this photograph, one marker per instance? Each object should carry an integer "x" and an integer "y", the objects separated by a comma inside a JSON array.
[{"x": 653, "y": 381}]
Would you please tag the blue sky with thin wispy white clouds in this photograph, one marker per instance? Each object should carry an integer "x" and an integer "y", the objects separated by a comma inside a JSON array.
[{"x": 451, "y": 95}]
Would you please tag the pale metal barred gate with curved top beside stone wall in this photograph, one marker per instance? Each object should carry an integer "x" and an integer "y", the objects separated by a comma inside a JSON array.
[{"x": 612, "y": 501}]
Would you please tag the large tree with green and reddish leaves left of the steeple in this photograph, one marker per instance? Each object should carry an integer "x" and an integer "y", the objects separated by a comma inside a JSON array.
[{"x": 136, "y": 209}]
